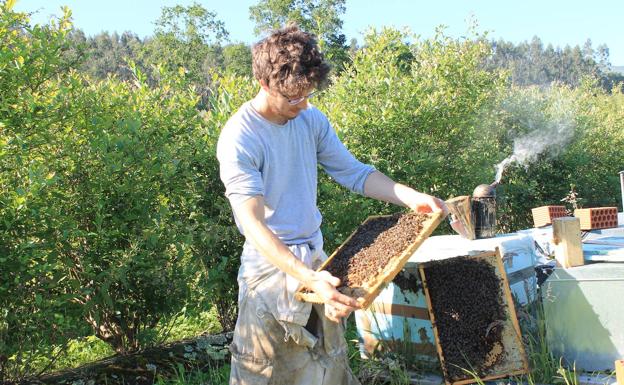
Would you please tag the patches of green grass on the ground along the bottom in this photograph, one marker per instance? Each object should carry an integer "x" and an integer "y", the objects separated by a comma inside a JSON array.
[{"x": 387, "y": 368}]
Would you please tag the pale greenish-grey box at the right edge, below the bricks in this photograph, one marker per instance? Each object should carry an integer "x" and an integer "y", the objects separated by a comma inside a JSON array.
[{"x": 584, "y": 313}]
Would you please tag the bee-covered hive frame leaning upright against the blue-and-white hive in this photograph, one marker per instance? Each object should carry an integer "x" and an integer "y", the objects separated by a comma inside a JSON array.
[{"x": 474, "y": 319}]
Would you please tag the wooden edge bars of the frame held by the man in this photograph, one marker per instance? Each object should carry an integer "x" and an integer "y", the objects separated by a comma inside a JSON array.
[{"x": 369, "y": 290}]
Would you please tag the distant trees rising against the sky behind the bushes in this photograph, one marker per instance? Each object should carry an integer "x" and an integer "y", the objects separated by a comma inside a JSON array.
[{"x": 193, "y": 38}]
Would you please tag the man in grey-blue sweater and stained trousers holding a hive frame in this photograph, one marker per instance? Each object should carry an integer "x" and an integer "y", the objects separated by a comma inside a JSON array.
[{"x": 268, "y": 153}]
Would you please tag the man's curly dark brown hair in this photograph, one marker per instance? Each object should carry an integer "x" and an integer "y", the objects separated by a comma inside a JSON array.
[{"x": 290, "y": 61}]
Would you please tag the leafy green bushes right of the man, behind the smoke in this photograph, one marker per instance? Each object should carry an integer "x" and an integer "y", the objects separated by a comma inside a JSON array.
[{"x": 430, "y": 116}]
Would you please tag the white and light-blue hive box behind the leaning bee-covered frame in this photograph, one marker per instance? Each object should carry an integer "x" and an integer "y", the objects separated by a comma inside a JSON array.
[{"x": 398, "y": 319}]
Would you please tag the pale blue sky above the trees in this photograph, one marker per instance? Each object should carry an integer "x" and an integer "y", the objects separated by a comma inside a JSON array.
[{"x": 553, "y": 21}]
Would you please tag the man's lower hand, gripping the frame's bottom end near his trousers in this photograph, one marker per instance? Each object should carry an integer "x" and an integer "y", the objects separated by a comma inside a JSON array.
[{"x": 337, "y": 305}]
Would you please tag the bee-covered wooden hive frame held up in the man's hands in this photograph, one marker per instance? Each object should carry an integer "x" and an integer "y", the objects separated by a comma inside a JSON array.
[{"x": 365, "y": 263}]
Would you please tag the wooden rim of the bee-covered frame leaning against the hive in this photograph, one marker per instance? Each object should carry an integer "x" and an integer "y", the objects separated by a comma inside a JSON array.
[{"x": 516, "y": 362}]
